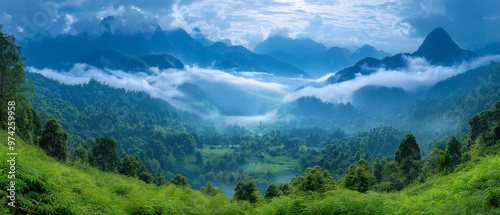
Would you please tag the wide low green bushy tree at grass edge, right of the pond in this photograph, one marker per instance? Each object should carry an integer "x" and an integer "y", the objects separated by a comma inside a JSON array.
[{"x": 313, "y": 179}]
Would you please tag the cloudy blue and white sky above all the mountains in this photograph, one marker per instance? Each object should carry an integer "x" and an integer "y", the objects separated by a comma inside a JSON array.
[{"x": 391, "y": 25}]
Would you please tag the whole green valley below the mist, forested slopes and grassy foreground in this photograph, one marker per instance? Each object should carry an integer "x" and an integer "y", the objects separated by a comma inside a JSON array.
[{"x": 97, "y": 149}]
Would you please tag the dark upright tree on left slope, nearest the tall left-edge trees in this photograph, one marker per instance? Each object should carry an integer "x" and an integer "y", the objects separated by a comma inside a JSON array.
[{"x": 54, "y": 140}]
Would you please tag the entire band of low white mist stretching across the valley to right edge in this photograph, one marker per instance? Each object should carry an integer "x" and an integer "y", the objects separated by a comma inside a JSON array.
[{"x": 248, "y": 97}]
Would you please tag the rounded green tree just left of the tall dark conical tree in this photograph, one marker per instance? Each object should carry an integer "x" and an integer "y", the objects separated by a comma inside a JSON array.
[{"x": 358, "y": 177}]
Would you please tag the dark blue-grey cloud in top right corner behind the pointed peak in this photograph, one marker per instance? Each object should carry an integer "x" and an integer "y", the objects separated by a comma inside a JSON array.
[{"x": 471, "y": 23}]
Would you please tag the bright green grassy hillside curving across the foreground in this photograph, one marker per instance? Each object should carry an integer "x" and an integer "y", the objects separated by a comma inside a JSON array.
[{"x": 45, "y": 186}]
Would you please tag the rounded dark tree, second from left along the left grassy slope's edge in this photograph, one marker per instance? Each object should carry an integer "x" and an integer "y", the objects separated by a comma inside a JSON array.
[{"x": 104, "y": 154}]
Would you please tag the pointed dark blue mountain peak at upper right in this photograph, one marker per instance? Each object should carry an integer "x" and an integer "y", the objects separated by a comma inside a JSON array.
[{"x": 439, "y": 48}]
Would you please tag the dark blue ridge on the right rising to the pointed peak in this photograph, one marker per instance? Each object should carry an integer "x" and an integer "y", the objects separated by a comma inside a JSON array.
[{"x": 438, "y": 48}]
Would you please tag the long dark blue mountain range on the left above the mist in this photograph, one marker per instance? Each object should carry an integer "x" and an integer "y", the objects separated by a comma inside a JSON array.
[{"x": 64, "y": 51}]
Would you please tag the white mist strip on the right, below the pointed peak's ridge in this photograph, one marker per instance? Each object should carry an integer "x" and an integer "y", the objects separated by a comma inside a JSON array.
[{"x": 417, "y": 75}]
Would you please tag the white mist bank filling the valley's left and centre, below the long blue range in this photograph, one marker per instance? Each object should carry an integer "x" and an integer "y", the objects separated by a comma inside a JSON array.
[{"x": 225, "y": 89}]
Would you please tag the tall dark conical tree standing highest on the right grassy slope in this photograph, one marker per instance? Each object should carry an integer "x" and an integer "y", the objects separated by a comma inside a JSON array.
[{"x": 408, "y": 158}]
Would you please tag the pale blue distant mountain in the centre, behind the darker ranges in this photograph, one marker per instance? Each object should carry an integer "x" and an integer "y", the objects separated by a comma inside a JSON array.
[{"x": 313, "y": 57}]
